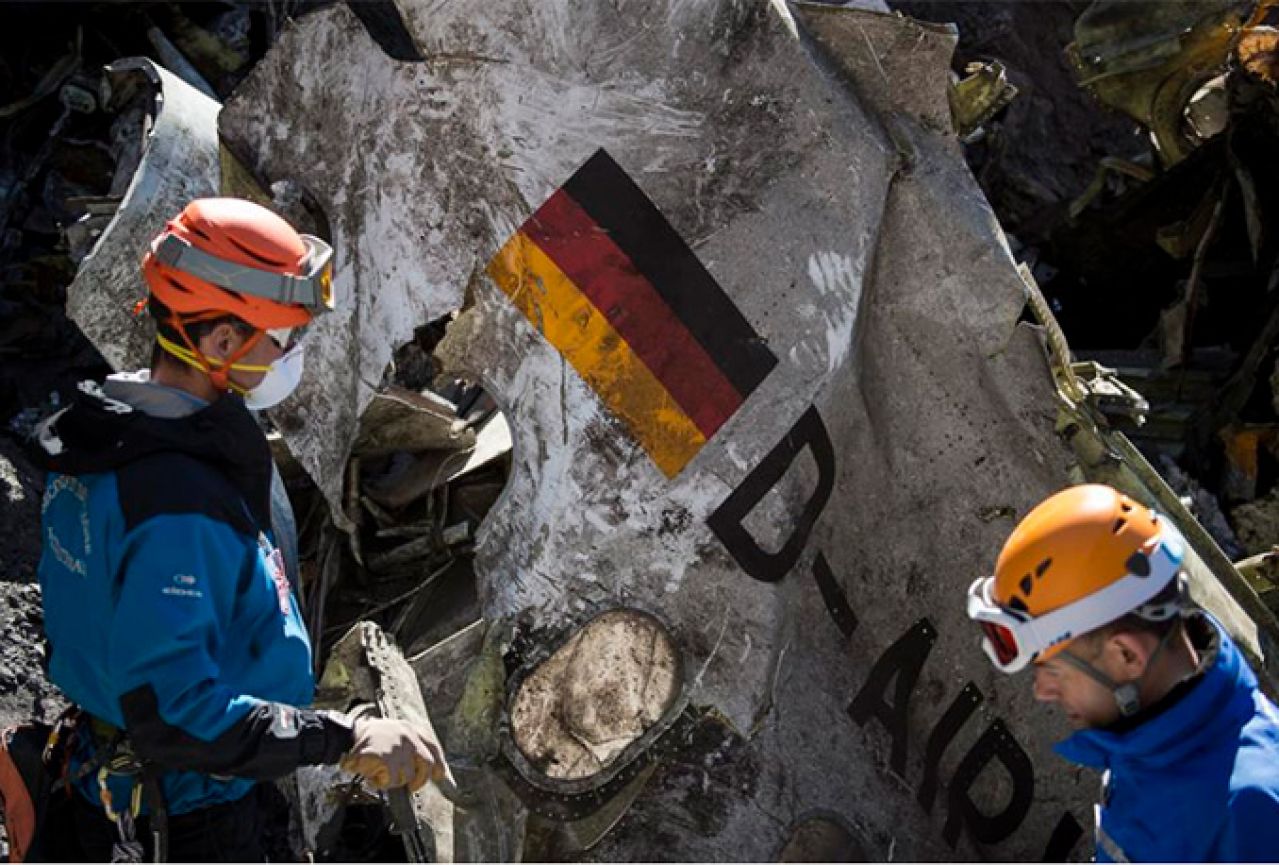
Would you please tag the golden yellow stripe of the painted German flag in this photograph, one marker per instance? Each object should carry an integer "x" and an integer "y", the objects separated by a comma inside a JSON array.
[{"x": 586, "y": 340}]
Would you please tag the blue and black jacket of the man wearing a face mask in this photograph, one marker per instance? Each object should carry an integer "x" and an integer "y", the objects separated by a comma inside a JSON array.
[{"x": 168, "y": 610}]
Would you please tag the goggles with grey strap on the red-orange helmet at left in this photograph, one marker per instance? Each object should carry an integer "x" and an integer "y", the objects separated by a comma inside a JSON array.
[{"x": 313, "y": 290}]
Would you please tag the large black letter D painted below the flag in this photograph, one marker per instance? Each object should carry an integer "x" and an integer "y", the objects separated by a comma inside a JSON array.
[{"x": 728, "y": 519}]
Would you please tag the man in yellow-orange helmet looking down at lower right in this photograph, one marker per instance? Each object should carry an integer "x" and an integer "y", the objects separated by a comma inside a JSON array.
[{"x": 1090, "y": 591}]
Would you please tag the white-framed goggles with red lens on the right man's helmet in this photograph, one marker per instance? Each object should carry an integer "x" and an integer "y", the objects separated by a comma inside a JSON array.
[{"x": 1014, "y": 639}]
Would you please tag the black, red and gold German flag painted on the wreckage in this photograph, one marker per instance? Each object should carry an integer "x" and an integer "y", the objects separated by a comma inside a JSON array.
[{"x": 612, "y": 286}]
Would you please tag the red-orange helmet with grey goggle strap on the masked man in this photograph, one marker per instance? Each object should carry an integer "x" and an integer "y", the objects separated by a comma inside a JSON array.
[{"x": 233, "y": 257}]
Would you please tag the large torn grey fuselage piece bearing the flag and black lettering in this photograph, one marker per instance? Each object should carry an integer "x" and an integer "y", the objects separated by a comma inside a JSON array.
[{"x": 755, "y": 333}]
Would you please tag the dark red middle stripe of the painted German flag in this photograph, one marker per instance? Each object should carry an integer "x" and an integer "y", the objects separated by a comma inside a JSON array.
[{"x": 611, "y": 281}]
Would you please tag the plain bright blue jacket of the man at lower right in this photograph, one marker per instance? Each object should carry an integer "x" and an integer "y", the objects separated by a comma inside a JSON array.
[{"x": 1199, "y": 781}]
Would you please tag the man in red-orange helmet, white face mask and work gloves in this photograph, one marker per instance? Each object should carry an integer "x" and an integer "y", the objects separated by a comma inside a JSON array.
[{"x": 169, "y": 615}]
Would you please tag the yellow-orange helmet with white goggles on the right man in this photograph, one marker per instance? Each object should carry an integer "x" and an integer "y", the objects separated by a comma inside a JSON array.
[{"x": 1081, "y": 560}]
